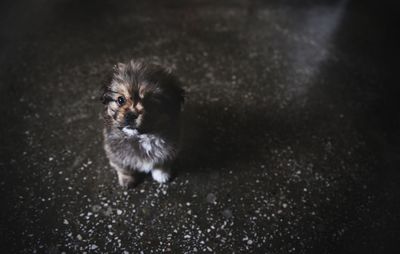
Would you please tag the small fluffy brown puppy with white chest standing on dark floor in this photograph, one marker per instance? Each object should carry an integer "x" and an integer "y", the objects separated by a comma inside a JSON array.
[{"x": 141, "y": 121}]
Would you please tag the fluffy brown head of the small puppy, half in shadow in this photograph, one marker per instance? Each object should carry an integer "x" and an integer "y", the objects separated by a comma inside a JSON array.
[{"x": 142, "y": 97}]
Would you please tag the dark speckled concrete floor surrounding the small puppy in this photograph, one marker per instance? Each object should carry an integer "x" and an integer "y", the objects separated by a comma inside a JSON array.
[{"x": 291, "y": 138}]
